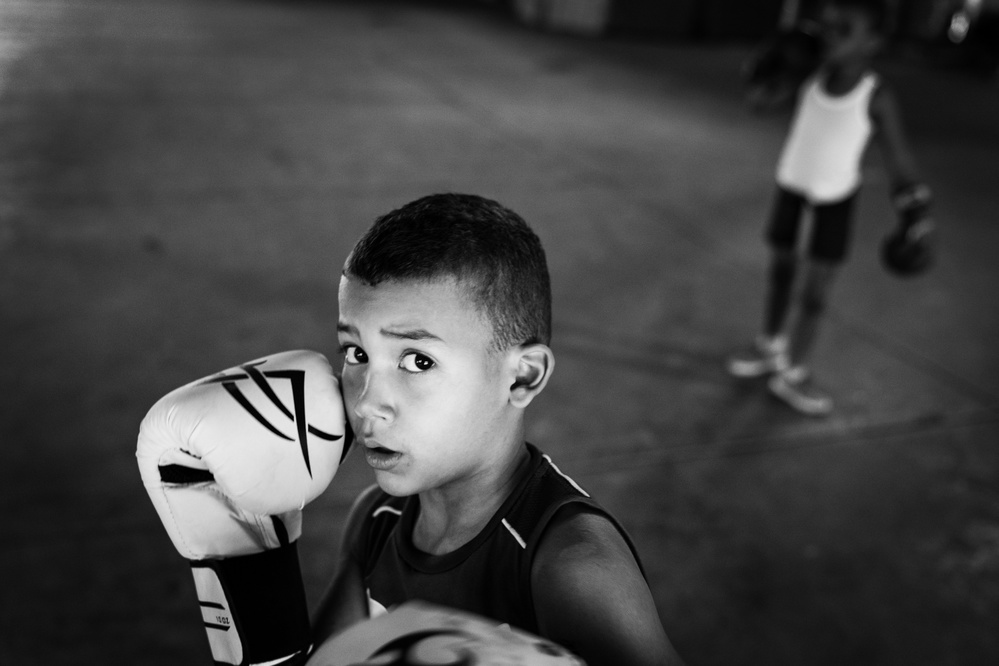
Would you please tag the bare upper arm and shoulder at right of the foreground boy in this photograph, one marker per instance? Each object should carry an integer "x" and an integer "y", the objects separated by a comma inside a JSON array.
[{"x": 591, "y": 597}]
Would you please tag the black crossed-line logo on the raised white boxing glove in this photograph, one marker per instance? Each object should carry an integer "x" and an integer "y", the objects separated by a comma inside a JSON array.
[{"x": 297, "y": 379}]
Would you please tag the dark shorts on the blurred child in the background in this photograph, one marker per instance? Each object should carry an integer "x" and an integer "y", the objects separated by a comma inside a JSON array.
[{"x": 831, "y": 225}]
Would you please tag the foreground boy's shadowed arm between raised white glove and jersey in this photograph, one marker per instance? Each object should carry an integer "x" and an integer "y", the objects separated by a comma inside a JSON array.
[{"x": 345, "y": 601}]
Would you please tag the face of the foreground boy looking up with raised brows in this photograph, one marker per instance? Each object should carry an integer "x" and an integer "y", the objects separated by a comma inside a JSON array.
[{"x": 427, "y": 396}]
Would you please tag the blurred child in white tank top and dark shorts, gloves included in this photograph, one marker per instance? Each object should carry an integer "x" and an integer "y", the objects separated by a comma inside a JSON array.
[{"x": 824, "y": 70}]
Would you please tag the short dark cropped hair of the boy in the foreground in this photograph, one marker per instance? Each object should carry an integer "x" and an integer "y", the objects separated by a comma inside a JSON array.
[{"x": 487, "y": 248}]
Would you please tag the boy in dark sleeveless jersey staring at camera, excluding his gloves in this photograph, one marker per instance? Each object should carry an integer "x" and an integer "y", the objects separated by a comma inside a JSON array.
[{"x": 444, "y": 326}]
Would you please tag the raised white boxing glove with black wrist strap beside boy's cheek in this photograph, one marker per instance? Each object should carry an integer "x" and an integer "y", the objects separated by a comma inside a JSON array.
[{"x": 229, "y": 462}]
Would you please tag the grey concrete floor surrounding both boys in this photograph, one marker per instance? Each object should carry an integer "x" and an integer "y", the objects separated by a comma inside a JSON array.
[{"x": 181, "y": 180}]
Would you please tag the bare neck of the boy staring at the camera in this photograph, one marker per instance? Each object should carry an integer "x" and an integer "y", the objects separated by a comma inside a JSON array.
[{"x": 452, "y": 516}]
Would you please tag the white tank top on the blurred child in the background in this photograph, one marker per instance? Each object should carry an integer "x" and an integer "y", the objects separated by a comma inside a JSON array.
[{"x": 822, "y": 153}]
